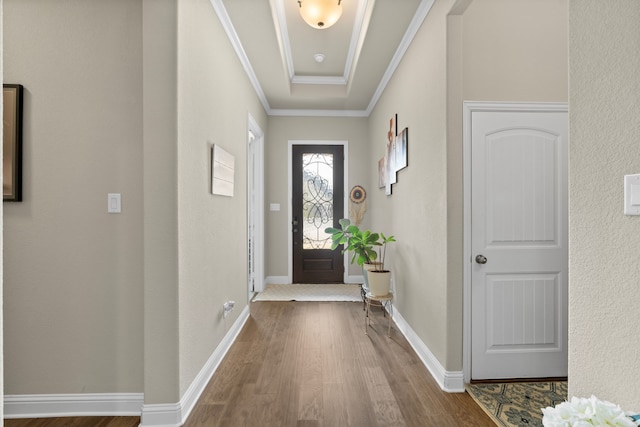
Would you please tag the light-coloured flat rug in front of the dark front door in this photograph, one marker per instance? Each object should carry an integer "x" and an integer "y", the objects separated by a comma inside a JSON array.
[{"x": 329, "y": 292}]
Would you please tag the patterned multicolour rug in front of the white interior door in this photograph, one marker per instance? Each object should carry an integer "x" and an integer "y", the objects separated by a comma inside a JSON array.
[{"x": 518, "y": 404}]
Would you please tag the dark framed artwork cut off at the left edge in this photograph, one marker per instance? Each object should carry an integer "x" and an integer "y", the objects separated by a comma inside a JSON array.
[{"x": 12, "y": 143}]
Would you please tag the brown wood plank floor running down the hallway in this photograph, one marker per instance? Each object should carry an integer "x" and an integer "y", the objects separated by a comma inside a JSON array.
[{"x": 309, "y": 364}]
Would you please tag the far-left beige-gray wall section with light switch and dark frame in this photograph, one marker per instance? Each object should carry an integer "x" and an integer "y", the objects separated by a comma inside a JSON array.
[{"x": 73, "y": 273}]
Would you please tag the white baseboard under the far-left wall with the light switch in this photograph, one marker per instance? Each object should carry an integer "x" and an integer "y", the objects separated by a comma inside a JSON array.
[{"x": 72, "y": 405}]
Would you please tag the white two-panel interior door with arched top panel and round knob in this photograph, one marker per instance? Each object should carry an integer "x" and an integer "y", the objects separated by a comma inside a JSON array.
[{"x": 518, "y": 244}]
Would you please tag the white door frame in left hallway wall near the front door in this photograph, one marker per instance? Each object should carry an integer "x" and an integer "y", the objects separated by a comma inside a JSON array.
[{"x": 255, "y": 169}]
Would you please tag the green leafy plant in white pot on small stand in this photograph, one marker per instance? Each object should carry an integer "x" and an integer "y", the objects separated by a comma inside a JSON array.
[{"x": 363, "y": 244}]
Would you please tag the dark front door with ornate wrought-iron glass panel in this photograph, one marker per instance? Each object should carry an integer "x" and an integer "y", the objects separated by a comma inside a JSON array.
[{"x": 318, "y": 203}]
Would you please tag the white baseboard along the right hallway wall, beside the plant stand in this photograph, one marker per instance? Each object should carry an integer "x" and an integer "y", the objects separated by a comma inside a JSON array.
[{"x": 449, "y": 381}]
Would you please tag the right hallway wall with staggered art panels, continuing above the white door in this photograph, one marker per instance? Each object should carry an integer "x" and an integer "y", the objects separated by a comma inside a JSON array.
[{"x": 491, "y": 51}]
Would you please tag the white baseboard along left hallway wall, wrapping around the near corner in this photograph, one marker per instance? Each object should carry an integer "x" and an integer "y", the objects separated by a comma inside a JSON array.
[{"x": 175, "y": 415}]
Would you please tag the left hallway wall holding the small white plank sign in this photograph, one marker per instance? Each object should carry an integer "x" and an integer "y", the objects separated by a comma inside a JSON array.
[{"x": 213, "y": 106}]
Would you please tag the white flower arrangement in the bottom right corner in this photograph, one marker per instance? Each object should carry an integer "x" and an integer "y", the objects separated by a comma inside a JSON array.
[{"x": 581, "y": 412}]
